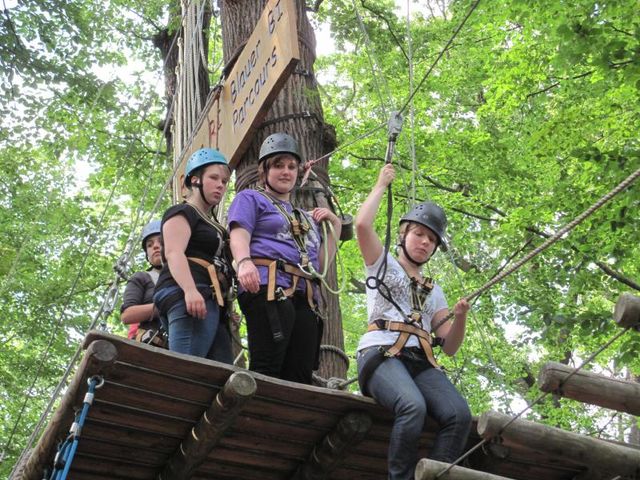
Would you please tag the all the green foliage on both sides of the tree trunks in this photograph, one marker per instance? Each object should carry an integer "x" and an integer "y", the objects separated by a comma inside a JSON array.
[{"x": 530, "y": 116}]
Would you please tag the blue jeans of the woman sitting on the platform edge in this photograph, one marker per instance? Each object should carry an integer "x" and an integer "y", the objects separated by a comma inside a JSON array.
[{"x": 412, "y": 396}]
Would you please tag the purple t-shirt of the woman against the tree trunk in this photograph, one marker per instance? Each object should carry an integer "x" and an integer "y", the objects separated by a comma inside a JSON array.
[{"x": 271, "y": 234}]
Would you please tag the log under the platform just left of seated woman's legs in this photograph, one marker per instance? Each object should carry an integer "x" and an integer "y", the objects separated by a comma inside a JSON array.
[{"x": 331, "y": 451}]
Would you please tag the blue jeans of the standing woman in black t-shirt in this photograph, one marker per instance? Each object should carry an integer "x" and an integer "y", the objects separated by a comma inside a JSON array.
[{"x": 199, "y": 337}]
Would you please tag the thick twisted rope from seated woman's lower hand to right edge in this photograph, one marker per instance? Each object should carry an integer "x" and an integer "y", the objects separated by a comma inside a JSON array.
[{"x": 550, "y": 241}]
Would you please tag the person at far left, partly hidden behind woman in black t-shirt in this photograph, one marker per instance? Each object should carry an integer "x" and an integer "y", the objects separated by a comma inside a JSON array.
[{"x": 138, "y": 310}]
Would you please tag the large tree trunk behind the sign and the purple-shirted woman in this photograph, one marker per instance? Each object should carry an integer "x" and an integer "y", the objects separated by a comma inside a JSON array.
[{"x": 298, "y": 112}]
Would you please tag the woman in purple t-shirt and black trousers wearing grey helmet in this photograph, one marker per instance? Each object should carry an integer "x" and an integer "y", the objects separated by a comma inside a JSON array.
[{"x": 276, "y": 248}]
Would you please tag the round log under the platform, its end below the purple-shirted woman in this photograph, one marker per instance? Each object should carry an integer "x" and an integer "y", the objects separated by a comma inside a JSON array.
[{"x": 217, "y": 419}]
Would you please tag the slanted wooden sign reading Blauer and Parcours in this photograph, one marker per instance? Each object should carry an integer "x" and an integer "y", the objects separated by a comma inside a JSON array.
[{"x": 230, "y": 117}]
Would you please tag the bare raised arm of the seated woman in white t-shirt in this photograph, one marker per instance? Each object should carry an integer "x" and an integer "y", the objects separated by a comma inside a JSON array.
[{"x": 368, "y": 240}]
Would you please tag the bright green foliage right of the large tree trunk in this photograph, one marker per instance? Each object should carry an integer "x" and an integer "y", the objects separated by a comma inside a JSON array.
[{"x": 525, "y": 122}]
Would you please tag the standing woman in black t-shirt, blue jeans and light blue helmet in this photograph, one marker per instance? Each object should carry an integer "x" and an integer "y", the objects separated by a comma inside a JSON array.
[{"x": 193, "y": 292}]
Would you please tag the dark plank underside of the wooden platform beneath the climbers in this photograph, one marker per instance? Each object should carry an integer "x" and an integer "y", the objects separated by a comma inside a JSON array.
[{"x": 152, "y": 398}]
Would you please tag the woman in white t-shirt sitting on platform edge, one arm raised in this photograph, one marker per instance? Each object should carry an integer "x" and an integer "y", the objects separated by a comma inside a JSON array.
[{"x": 395, "y": 359}]
